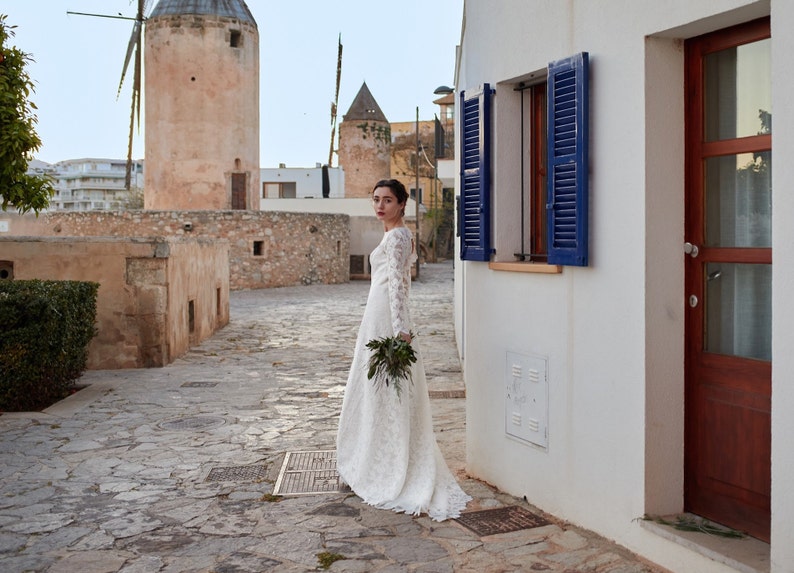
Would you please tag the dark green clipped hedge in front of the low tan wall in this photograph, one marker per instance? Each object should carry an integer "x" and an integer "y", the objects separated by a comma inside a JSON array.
[{"x": 45, "y": 328}]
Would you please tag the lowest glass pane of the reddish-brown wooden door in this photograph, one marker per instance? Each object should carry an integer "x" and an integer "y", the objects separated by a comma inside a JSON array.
[{"x": 738, "y": 319}]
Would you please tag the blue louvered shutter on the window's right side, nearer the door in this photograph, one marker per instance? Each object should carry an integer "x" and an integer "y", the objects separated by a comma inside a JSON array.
[{"x": 568, "y": 139}]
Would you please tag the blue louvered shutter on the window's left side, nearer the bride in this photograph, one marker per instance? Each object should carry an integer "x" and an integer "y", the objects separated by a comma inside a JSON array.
[{"x": 474, "y": 211}]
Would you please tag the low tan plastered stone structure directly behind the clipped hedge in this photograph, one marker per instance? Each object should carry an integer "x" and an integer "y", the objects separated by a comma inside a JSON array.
[{"x": 157, "y": 297}]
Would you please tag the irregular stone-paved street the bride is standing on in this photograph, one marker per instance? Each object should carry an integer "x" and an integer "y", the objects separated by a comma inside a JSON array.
[{"x": 119, "y": 477}]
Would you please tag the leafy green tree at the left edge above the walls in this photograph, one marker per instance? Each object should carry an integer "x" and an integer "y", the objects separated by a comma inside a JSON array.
[{"x": 18, "y": 138}]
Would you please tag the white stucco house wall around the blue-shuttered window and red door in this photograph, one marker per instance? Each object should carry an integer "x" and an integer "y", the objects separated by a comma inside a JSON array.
[{"x": 612, "y": 333}]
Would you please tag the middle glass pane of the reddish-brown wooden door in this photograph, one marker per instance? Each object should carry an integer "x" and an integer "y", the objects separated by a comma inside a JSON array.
[{"x": 739, "y": 200}]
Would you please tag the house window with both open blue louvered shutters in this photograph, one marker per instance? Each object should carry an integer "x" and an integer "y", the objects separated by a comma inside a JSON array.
[{"x": 552, "y": 201}]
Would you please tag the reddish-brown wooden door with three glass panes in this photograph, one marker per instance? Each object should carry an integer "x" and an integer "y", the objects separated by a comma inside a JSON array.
[{"x": 728, "y": 278}]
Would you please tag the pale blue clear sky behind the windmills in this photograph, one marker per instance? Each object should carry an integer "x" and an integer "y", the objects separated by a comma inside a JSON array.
[{"x": 402, "y": 49}]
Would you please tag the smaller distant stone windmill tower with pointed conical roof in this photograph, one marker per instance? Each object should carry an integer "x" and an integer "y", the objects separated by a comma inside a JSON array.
[{"x": 364, "y": 145}]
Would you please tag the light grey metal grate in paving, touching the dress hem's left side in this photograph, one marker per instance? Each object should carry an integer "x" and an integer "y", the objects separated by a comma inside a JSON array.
[{"x": 309, "y": 473}]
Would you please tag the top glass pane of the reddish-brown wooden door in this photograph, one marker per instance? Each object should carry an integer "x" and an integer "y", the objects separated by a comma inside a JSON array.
[{"x": 738, "y": 91}]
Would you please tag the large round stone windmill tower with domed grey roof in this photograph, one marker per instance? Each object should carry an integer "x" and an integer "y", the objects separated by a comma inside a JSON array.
[{"x": 202, "y": 106}]
